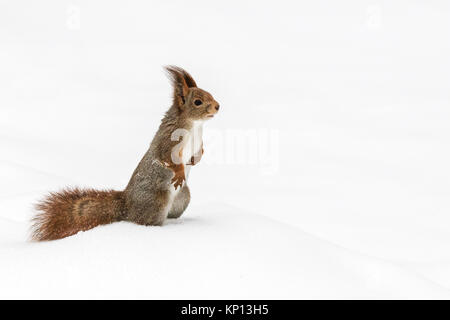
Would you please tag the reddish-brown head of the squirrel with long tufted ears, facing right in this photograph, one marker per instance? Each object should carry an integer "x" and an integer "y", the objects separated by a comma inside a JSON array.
[{"x": 195, "y": 103}]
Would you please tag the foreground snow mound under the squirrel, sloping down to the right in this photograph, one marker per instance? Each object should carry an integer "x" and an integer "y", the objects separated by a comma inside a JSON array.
[{"x": 217, "y": 252}]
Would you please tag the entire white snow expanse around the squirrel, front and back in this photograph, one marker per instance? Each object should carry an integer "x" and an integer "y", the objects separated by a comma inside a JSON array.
[{"x": 325, "y": 173}]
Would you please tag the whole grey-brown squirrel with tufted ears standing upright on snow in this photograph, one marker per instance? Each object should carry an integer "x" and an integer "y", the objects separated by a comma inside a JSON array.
[{"x": 157, "y": 189}]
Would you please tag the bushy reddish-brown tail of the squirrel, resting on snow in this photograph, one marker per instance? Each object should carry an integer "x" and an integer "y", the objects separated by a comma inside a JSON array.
[{"x": 62, "y": 214}]
